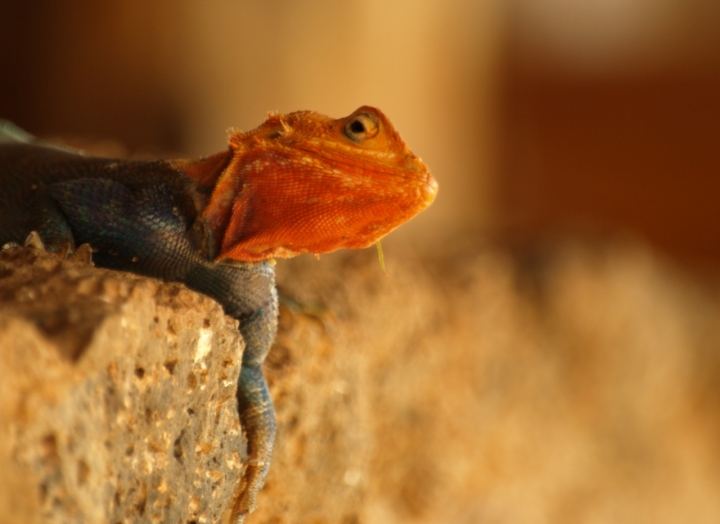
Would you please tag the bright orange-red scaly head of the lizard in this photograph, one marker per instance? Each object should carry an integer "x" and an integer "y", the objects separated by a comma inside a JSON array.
[{"x": 306, "y": 183}]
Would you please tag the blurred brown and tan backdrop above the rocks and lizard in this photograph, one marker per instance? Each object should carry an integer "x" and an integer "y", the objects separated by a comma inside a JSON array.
[{"x": 536, "y": 116}]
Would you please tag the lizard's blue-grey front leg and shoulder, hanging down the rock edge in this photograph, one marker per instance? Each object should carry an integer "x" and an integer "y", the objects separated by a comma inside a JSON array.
[{"x": 139, "y": 229}]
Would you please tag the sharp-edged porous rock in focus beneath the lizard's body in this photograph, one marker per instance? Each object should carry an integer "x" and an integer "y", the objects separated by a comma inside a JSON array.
[{"x": 116, "y": 396}]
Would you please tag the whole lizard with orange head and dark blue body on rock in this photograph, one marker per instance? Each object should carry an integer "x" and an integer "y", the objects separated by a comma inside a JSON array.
[{"x": 299, "y": 183}]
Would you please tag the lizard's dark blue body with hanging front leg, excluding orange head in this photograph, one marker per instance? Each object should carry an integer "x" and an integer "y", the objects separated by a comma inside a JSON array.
[{"x": 139, "y": 217}]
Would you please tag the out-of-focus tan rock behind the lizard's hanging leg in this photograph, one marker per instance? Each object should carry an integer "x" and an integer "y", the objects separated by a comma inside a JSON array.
[{"x": 573, "y": 383}]
